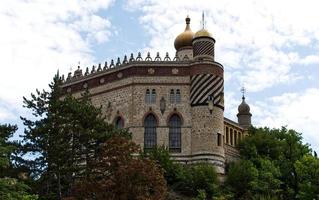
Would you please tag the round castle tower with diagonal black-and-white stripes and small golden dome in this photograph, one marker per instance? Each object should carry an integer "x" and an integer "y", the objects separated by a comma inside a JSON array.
[{"x": 207, "y": 103}]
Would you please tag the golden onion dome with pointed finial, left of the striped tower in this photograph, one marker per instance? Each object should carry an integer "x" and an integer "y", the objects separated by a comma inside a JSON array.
[{"x": 184, "y": 39}]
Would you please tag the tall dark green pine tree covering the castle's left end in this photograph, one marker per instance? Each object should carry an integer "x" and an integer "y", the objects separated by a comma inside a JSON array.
[{"x": 62, "y": 136}]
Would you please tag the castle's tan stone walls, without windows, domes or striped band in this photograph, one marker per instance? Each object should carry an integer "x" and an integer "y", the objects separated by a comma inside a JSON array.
[{"x": 124, "y": 96}]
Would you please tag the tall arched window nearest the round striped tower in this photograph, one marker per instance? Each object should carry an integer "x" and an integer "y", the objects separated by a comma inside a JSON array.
[{"x": 175, "y": 123}]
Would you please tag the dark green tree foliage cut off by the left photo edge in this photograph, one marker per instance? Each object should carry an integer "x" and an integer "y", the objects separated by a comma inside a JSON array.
[{"x": 10, "y": 186}]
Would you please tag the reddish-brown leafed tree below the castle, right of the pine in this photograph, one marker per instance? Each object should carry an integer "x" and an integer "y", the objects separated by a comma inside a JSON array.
[{"x": 118, "y": 173}]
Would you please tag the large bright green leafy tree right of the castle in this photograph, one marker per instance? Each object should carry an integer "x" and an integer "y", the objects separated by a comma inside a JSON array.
[{"x": 269, "y": 160}]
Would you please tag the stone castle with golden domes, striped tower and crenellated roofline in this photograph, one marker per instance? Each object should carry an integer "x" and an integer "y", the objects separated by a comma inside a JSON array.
[{"x": 177, "y": 102}]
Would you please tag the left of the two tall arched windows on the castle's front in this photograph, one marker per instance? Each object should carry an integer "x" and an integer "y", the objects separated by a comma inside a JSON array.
[{"x": 150, "y": 131}]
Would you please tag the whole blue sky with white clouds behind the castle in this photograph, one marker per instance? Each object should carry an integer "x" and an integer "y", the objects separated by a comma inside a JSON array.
[{"x": 270, "y": 47}]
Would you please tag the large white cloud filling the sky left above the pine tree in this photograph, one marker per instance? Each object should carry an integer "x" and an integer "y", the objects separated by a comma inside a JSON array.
[{"x": 41, "y": 36}]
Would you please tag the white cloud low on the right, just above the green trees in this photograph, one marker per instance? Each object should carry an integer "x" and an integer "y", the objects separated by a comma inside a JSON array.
[{"x": 298, "y": 111}]
